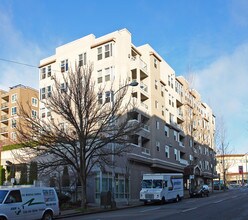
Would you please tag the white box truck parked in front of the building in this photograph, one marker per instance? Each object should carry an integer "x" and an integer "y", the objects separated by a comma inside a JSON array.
[{"x": 162, "y": 187}]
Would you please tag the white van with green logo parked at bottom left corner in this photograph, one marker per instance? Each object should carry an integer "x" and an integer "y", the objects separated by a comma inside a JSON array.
[{"x": 28, "y": 203}]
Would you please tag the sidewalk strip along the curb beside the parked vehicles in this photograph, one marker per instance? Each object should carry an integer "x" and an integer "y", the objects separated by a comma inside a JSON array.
[{"x": 96, "y": 208}]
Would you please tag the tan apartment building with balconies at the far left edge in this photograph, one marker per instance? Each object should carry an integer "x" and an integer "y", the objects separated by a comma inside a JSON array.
[{"x": 10, "y": 103}]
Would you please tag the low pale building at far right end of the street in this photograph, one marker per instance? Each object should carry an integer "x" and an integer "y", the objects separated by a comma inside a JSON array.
[{"x": 232, "y": 167}]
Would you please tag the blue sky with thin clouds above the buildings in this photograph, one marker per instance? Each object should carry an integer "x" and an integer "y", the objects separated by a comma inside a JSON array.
[{"x": 207, "y": 39}]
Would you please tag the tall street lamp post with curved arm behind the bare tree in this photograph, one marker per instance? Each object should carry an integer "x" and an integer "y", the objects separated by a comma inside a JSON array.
[{"x": 133, "y": 84}]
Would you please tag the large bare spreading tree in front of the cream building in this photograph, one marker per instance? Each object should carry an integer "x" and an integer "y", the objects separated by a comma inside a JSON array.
[{"x": 82, "y": 126}]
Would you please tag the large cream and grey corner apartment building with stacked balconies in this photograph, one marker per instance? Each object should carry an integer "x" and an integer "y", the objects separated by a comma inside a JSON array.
[{"x": 171, "y": 112}]
